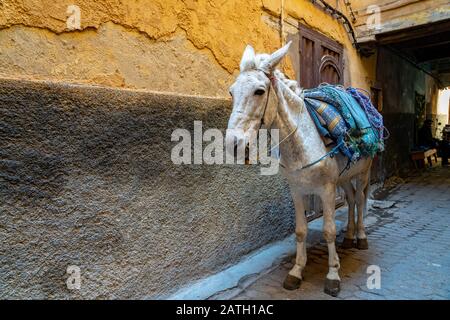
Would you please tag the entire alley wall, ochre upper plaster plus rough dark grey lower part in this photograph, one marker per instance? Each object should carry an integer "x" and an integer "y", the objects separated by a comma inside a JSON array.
[{"x": 87, "y": 176}]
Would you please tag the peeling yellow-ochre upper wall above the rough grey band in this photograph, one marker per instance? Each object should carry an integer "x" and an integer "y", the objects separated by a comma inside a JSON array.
[{"x": 187, "y": 47}]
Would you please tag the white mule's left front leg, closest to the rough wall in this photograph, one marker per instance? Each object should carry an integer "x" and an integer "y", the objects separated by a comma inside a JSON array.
[{"x": 294, "y": 277}]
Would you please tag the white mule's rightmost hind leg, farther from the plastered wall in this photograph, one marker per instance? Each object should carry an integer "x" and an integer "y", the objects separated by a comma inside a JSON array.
[{"x": 362, "y": 193}]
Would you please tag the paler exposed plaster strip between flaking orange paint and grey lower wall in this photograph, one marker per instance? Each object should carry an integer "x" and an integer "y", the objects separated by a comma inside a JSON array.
[{"x": 111, "y": 56}]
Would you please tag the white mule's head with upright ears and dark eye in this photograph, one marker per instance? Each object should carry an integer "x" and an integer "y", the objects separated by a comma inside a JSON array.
[{"x": 250, "y": 93}]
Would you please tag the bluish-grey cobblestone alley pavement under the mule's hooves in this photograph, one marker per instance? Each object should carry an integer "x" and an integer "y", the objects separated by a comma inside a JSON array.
[{"x": 409, "y": 241}]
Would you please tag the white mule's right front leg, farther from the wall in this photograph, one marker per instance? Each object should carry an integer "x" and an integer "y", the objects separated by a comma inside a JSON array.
[{"x": 332, "y": 283}]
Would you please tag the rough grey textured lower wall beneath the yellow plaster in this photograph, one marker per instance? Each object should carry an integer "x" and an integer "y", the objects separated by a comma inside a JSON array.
[{"x": 86, "y": 179}]
